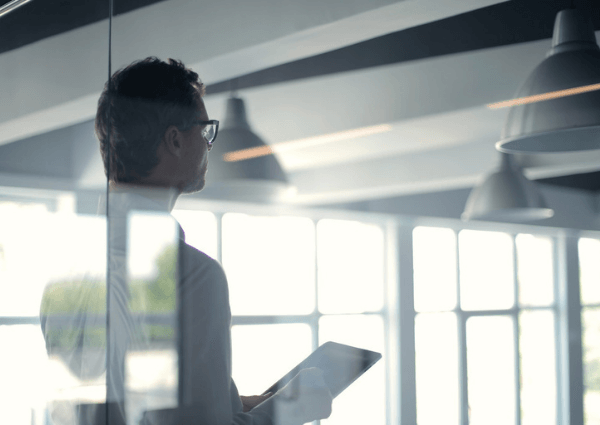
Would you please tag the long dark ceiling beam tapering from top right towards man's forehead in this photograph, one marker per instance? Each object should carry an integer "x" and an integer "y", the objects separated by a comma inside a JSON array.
[{"x": 494, "y": 26}]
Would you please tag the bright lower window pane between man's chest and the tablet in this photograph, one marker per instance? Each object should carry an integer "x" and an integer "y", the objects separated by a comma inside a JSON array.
[{"x": 264, "y": 353}]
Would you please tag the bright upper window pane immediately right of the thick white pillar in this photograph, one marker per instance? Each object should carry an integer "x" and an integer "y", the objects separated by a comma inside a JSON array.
[{"x": 434, "y": 262}]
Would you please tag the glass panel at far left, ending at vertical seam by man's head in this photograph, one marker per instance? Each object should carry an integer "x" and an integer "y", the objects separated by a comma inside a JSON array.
[{"x": 53, "y": 62}]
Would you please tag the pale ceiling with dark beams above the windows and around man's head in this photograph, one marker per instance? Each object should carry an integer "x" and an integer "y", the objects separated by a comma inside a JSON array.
[{"x": 425, "y": 69}]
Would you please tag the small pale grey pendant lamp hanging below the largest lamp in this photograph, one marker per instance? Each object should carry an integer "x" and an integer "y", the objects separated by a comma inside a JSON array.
[{"x": 506, "y": 195}]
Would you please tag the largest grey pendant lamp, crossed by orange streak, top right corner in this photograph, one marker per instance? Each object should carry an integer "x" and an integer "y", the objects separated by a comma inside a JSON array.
[{"x": 566, "y": 121}]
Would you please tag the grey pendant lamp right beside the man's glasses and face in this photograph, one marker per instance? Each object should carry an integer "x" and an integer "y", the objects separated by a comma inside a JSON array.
[{"x": 259, "y": 179}]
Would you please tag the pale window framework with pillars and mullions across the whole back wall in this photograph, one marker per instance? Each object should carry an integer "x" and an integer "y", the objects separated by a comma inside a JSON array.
[{"x": 398, "y": 312}]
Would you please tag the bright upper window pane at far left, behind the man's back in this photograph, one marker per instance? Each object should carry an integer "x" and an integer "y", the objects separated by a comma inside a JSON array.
[{"x": 64, "y": 248}]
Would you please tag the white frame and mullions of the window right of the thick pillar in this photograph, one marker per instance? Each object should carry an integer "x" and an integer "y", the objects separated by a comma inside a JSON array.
[{"x": 566, "y": 308}]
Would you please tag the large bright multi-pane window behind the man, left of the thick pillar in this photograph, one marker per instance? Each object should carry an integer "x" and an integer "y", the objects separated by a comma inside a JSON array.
[{"x": 295, "y": 280}]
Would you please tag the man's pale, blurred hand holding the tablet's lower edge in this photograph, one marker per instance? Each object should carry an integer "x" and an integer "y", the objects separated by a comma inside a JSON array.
[{"x": 304, "y": 399}]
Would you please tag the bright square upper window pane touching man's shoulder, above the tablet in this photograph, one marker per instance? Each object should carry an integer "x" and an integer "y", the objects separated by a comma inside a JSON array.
[{"x": 270, "y": 264}]
